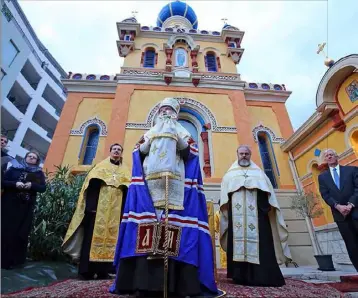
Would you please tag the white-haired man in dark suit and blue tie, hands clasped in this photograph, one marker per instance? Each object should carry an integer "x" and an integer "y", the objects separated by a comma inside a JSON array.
[{"x": 339, "y": 188}]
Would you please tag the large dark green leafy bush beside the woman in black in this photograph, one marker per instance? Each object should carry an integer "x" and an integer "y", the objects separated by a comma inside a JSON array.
[{"x": 53, "y": 213}]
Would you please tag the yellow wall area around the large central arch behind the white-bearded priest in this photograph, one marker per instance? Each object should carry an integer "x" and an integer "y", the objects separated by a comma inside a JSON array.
[{"x": 223, "y": 144}]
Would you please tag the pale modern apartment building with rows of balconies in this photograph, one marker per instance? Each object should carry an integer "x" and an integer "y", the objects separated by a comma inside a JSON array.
[{"x": 32, "y": 95}]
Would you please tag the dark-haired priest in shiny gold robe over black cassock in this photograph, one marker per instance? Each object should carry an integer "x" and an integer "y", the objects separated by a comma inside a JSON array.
[{"x": 92, "y": 234}]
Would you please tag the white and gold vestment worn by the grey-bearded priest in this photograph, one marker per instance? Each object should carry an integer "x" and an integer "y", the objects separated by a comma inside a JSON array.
[{"x": 243, "y": 183}]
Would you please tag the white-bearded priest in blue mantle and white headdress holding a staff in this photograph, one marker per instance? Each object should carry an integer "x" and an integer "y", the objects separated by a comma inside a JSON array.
[{"x": 166, "y": 152}]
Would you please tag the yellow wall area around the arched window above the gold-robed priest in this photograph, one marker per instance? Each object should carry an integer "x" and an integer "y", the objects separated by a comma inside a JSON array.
[{"x": 88, "y": 109}]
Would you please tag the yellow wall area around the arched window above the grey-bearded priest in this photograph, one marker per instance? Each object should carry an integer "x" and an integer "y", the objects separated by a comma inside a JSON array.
[{"x": 267, "y": 117}]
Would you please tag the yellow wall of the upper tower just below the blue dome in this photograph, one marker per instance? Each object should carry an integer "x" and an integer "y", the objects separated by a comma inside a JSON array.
[{"x": 133, "y": 59}]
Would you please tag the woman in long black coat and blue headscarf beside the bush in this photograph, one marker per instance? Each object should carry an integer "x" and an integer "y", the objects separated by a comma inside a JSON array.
[{"x": 20, "y": 183}]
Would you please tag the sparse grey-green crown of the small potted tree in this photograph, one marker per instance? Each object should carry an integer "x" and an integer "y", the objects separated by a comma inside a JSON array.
[{"x": 306, "y": 205}]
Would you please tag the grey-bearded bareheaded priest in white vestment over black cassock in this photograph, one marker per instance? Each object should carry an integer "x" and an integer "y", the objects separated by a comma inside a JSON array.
[{"x": 252, "y": 230}]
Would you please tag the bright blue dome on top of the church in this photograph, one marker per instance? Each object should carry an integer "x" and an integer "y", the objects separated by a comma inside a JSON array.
[{"x": 177, "y": 8}]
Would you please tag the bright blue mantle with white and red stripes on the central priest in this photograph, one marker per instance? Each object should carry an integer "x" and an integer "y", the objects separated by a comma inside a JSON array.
[{"x": 195, "y": 243}]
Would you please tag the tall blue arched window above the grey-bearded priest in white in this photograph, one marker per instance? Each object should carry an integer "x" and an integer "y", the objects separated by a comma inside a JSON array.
[{"x": 267, "y": 156}]
